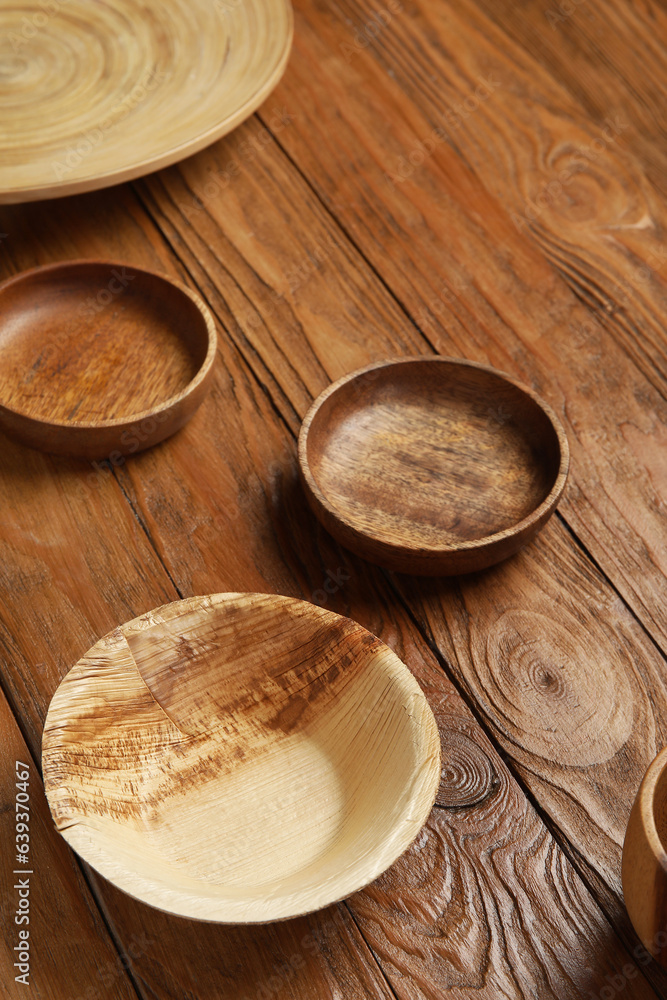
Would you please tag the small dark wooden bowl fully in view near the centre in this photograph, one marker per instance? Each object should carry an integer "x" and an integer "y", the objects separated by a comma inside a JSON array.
[{"x": 432, "y": 465}]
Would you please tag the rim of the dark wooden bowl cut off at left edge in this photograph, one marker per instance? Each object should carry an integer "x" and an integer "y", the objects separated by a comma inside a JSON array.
[{"x": 131, "y": 418}]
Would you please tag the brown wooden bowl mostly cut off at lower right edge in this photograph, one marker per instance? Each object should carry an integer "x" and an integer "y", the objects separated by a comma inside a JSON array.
[{"x": 644, "y": 870}]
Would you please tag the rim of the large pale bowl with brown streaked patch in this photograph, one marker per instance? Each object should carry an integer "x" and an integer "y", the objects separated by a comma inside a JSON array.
[{"x": 403, "y": 832}]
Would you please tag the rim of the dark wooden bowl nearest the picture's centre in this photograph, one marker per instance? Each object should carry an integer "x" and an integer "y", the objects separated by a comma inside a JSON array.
[{"x": 535, "y": 516}]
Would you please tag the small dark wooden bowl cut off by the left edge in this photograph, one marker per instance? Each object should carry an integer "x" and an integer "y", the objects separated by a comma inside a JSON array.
[{"x": 100, "y": 359}]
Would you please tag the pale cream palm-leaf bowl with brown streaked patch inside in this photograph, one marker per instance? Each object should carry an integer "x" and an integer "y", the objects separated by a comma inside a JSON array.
[{"x": 240, "y": 757}]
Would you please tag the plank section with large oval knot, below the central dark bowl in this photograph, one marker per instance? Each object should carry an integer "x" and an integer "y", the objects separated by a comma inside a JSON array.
[{"x": 573, "y": 688}]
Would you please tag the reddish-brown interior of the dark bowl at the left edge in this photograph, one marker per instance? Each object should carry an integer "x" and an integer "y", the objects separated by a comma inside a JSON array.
[{"x": 90, "y": 342}]
